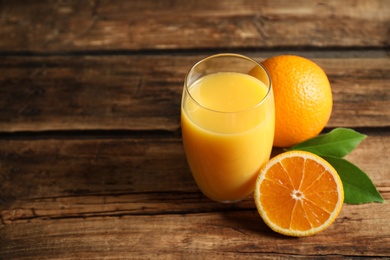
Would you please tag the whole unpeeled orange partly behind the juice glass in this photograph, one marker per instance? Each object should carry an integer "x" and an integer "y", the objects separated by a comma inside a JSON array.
[{"x": 303, "y": 98}]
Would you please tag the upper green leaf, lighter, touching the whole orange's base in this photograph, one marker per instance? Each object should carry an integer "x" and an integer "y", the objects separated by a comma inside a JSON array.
[{"x": 337, "y": 143}]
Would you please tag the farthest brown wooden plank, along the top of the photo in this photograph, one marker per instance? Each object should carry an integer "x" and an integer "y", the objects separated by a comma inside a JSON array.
[{"x": 54, "y": 26}]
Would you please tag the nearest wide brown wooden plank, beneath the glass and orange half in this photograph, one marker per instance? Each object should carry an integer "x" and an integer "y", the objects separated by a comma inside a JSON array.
[{"x": 134, "y": 197}]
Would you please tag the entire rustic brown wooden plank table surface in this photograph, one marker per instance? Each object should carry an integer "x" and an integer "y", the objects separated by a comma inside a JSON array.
[{"x": 91, "y": 159}]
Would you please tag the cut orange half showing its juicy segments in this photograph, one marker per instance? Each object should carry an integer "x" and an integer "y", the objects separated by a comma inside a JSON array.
[{"x": 298, "y": 194}]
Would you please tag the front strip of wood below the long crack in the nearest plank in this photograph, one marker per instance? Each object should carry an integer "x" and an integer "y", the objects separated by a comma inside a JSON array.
[{"x": 232, "y": 235}]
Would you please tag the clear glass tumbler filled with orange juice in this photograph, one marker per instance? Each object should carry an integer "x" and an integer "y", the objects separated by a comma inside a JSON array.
[{"x": 228, "y": 121}]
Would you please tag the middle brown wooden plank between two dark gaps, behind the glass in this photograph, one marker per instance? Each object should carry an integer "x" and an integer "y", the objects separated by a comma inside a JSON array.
[{"x": 142, "y": 92}]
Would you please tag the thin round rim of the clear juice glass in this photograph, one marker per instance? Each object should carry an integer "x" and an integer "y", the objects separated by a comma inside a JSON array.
[{"x": 232, "y": 55}]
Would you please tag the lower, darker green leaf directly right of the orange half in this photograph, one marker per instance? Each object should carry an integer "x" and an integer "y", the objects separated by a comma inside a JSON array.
[{"x": 358, "y": 187}]
